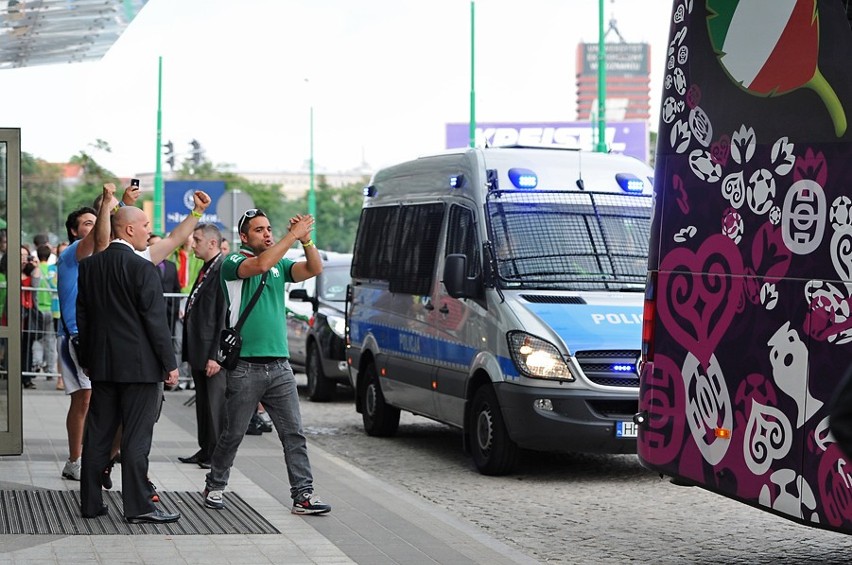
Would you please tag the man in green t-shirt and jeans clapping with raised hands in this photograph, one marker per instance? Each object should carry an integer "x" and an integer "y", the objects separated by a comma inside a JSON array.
[{"x": 263, "y": 372}]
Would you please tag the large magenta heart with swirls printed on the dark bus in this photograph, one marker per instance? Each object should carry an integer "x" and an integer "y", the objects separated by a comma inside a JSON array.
[{"x": 698, "y": 295}]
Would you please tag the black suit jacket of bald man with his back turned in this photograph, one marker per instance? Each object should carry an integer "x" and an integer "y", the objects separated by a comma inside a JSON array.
[{"x": 121, "y": 315}]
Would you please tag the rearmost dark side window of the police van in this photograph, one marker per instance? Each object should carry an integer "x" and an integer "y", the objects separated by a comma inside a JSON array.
[{"x": 373, "y": 254}]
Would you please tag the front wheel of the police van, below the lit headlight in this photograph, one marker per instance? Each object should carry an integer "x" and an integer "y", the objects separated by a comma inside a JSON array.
[{"x": 494, "y": 452}]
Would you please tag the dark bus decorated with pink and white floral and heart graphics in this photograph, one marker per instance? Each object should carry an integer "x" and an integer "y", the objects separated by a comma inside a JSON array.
[{"x": 747, "y": 328}]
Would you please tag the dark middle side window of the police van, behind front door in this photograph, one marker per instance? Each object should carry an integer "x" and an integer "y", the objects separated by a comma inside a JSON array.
[{"x": 420, "y": 228}]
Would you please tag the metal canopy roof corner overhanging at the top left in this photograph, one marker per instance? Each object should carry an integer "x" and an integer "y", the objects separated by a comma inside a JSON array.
[{"x": 48, "y": 32}]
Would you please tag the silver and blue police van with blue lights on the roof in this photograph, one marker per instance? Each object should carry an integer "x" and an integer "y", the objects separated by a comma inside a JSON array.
[{"x": 500, "y": 291}]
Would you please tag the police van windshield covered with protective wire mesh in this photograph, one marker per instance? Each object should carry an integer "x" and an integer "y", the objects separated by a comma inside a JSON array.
[{"x": 569, "y": 240}]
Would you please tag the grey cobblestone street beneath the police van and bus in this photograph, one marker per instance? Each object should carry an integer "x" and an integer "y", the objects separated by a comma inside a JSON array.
[{"x": 570, "y": 508}]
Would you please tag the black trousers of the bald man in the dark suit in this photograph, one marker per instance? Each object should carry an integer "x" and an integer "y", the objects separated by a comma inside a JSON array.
[{"x": 134, "y": 406}]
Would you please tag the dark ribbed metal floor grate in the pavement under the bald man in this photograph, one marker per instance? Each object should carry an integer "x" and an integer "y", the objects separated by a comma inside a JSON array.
[{"x": 45, "y": 512}]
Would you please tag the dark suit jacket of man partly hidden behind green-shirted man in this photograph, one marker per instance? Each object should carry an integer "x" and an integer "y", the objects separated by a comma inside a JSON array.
[{"x": 205, "y": 317}]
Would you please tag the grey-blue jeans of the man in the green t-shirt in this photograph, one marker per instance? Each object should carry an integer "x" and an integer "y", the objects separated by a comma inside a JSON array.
[{"x": 273, "y": 384}]
